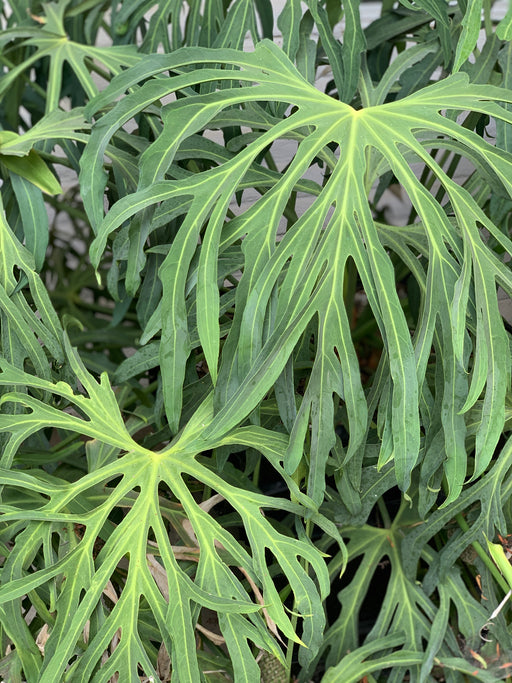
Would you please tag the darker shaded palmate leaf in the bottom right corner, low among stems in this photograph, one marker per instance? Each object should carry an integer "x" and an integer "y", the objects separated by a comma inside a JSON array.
[{"x": 406, "y": 614}]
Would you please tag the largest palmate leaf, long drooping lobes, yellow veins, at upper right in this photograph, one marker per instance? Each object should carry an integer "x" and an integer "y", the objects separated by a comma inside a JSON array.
[{"x": 301, "y": 276}]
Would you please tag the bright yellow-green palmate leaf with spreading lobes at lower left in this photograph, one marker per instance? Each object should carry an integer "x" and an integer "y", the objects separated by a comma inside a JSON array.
[{"x": 142, "y": 471}]
